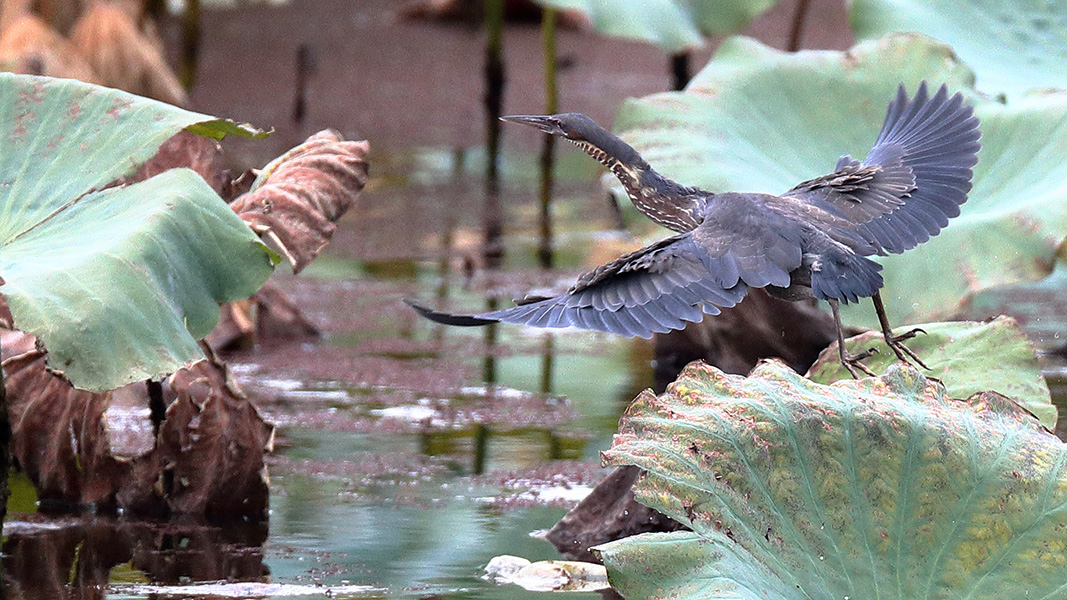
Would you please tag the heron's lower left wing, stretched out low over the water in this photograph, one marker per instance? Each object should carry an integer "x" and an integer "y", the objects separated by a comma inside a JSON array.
[{"x": 655, "y": 290}]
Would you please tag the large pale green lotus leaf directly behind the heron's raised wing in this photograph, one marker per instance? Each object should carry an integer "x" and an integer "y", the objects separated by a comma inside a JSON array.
[{"x": 759, "y": 120}]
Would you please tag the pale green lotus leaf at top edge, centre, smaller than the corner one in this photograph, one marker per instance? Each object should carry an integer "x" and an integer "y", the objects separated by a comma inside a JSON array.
[{"x": 675, "y": 26}]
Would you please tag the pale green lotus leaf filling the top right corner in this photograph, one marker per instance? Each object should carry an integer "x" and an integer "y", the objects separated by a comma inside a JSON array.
[{"x": 1013, "y": 45}]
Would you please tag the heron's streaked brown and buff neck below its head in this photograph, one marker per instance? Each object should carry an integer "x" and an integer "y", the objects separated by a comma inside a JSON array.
[{"x": 667, "y": 203}]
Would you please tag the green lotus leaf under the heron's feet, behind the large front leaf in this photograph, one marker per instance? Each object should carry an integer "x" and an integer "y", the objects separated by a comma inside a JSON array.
[{"x": 967, "y": 357}]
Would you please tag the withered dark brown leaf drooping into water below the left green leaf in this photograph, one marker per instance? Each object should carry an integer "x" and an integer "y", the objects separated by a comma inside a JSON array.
[{"x": 208, "y": 460}]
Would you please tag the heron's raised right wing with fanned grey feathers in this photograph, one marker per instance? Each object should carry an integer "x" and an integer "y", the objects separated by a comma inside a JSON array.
[{"x": 916, "y": 177}]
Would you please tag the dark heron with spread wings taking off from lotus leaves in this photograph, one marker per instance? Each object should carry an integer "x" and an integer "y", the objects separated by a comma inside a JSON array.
[{"x": 814, "y": 241}]
